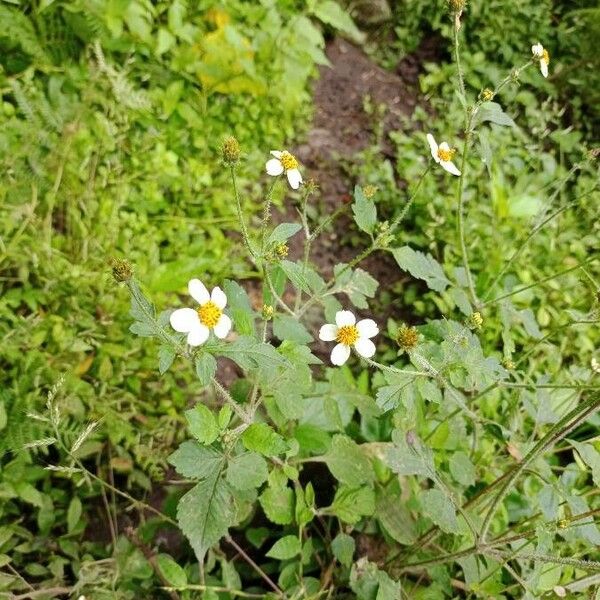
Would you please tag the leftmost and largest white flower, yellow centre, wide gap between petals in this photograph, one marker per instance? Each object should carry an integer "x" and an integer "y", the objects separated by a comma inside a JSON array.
[{"x": 209, "y": 315}]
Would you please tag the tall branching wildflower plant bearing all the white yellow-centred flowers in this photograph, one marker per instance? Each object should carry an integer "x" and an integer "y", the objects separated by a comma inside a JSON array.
[{"x": 388, "y": 419}]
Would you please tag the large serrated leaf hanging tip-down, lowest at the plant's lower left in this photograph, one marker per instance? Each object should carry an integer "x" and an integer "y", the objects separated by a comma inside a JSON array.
[{"x": 206, "y": 512}]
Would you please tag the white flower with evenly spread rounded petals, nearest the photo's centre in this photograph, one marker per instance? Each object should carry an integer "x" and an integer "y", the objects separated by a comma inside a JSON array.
[{"x": 348, "y": 333}]
